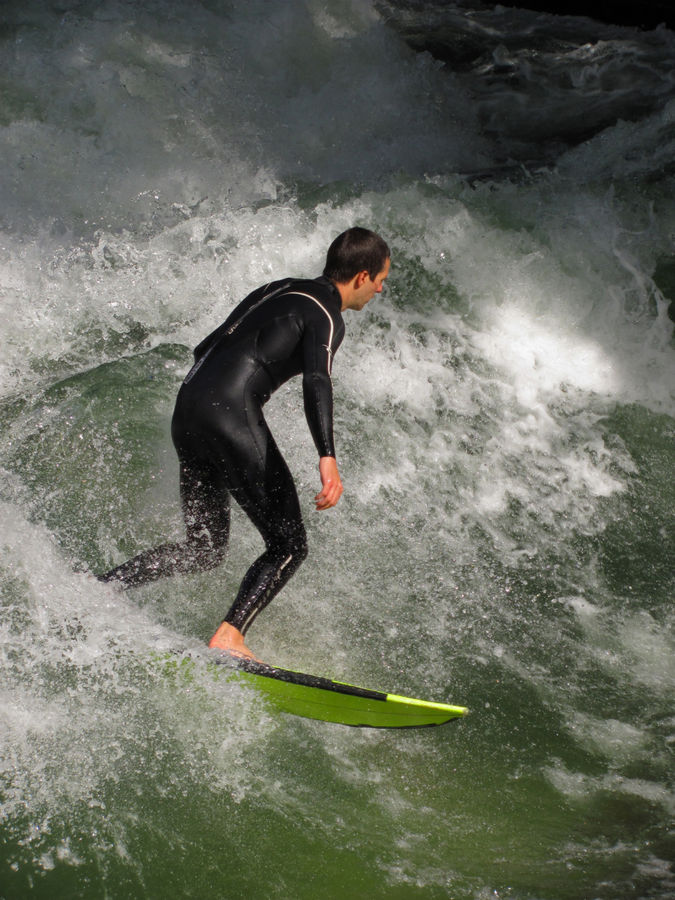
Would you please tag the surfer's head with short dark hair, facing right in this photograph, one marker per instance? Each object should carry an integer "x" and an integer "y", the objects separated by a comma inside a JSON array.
[{"x": 357, "y": 262}]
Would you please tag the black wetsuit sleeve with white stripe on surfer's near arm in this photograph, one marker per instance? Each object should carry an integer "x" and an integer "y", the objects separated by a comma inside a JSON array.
[{"x": 320, "y": 342}]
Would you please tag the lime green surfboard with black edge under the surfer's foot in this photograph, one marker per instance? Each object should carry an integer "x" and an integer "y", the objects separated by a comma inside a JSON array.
[{"x": 316, "y": 697}]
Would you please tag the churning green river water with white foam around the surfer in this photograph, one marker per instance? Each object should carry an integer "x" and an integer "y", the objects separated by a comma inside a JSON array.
[{"x": 504, "y": 418}]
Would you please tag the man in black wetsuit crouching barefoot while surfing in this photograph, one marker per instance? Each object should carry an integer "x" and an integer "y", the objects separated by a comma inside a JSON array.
[{"x": 224, "y": 445}]
